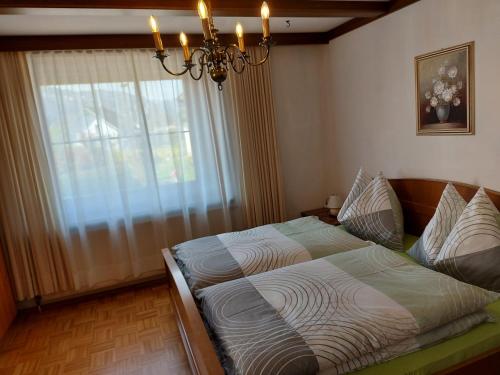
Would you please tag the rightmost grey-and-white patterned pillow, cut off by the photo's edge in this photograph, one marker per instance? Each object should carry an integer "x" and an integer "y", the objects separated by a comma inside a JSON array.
[{"x": 471, "y": 252}]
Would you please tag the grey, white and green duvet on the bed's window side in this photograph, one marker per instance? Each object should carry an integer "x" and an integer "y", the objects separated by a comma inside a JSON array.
[{"x": 215, "y": 259}]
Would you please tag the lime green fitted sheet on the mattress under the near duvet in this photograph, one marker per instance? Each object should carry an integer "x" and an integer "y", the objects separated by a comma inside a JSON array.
[{"x": 438, "y": 357}]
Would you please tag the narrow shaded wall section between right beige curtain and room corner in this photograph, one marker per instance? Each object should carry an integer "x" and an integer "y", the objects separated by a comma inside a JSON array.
[{"x": 299, "y": 90}]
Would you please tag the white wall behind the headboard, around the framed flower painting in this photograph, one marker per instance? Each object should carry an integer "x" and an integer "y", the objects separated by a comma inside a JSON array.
[{"x": 371, "y": 96}]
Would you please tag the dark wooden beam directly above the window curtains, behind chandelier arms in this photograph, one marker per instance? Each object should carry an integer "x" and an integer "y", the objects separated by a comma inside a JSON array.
[{"x": 67, "y": 42}]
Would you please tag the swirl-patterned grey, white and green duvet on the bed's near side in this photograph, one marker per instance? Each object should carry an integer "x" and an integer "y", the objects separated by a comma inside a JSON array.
[{"x": 337, "y": 314}]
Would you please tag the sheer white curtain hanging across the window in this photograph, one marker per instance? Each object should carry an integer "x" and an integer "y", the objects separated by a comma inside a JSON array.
[{"x": 140, "y": 159}]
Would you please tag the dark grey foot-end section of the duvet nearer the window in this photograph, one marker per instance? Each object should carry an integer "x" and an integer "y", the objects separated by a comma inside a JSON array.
[{"x": 211, "y": 256}]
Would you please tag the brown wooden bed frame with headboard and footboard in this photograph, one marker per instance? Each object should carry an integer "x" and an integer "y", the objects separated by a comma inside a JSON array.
[{"x": 418, "y": 197}]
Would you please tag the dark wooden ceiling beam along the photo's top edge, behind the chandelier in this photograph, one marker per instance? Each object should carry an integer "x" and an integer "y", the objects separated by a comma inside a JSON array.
[{"x": 227, "y": 8}]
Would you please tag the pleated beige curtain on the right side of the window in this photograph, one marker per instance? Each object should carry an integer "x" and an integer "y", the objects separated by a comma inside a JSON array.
[{"x": 250, "y": 96}]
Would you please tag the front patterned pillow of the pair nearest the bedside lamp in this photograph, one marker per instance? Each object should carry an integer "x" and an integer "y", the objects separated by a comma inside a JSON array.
[{"x": 376, "y": 215}]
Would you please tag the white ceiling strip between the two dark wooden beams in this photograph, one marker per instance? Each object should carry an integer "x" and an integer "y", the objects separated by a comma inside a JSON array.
[{"x": 74, "y": 20}]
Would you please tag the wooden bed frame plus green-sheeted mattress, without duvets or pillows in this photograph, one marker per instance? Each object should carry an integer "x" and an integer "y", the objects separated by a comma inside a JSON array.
[{"x": 478, "y": 351}]
